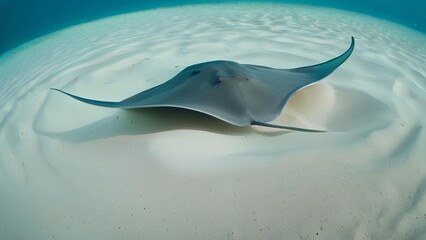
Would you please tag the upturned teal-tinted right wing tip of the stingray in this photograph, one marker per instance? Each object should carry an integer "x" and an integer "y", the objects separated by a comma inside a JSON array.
[{"x": 322, "y": 70}]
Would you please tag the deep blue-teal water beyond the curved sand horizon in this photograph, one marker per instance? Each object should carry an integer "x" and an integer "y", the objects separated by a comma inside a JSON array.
[{"x": 24, "y": 20}]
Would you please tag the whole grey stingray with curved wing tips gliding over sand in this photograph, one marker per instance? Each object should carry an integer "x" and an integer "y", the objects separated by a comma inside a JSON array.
[{"x": 240, "y": 94}]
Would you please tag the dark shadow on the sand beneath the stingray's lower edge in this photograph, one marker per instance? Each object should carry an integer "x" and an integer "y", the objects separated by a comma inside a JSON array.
[{"x": 153, "y": 120}]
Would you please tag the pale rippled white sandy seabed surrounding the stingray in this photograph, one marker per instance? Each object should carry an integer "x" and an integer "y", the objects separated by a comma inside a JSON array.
[{"x": 69, "y": 170}]
